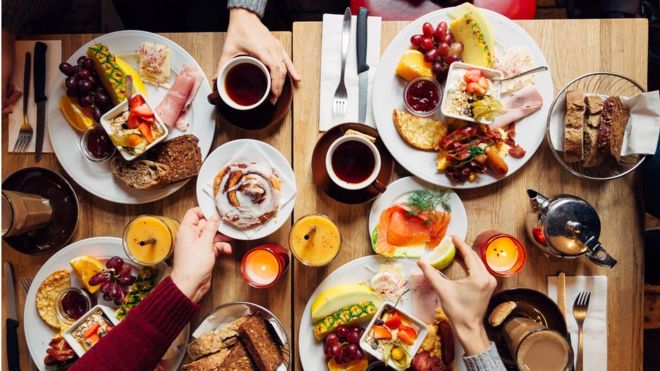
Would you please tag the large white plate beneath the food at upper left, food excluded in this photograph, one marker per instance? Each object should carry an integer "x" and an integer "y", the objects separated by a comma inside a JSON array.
[{"x": 97, "y": 177}]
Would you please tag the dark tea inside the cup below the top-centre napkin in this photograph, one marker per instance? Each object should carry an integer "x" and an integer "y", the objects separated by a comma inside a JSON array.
[{"x": 353, "y": 161}]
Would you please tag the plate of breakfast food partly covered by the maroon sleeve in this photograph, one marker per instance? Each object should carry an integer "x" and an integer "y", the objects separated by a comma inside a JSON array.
[{"x": 80, "y": 294}]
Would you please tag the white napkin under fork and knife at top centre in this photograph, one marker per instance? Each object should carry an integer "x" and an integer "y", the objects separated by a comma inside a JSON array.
[{"x": 331, "y": 68}]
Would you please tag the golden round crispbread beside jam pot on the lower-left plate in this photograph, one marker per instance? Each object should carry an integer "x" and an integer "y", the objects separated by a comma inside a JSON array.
[{"x": 46, "y": 299}]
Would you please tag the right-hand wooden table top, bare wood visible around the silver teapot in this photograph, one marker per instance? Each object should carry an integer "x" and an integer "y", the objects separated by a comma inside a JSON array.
[{"x": 572, "y": 47}]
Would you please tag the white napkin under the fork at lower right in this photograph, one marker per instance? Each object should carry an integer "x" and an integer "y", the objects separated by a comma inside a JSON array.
[{"x": 595, "y": 325}]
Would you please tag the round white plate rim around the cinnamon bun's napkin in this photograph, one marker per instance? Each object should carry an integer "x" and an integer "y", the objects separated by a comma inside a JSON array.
[{"x": 220, "y": 157}]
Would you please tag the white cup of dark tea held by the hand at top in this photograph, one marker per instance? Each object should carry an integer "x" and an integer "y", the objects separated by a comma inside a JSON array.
[{"x": 243, "y": 83}]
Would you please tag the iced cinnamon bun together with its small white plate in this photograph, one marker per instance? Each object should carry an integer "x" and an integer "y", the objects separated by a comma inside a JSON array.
[{"x": 250, "y": 185}]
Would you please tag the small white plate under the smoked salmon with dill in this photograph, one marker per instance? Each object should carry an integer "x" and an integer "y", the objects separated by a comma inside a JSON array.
[{"x": 397, "y": 192}]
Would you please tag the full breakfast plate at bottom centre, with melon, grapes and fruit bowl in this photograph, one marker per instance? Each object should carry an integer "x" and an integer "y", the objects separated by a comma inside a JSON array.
[{"x": 355, "y": 317}]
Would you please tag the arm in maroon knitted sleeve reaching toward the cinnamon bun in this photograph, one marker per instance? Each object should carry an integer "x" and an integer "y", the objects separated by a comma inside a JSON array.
[{"x": 142, "y": 338}]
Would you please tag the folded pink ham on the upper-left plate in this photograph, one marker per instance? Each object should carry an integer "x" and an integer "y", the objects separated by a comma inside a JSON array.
[{"x": 172, "y": 110}]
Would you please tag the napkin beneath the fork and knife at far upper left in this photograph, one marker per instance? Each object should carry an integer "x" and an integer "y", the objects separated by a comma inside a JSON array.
[{"x": 53, "y": 60}]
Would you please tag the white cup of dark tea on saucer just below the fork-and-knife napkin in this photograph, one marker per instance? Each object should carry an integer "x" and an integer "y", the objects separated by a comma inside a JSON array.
[{"x": 353, "y": 163}]
